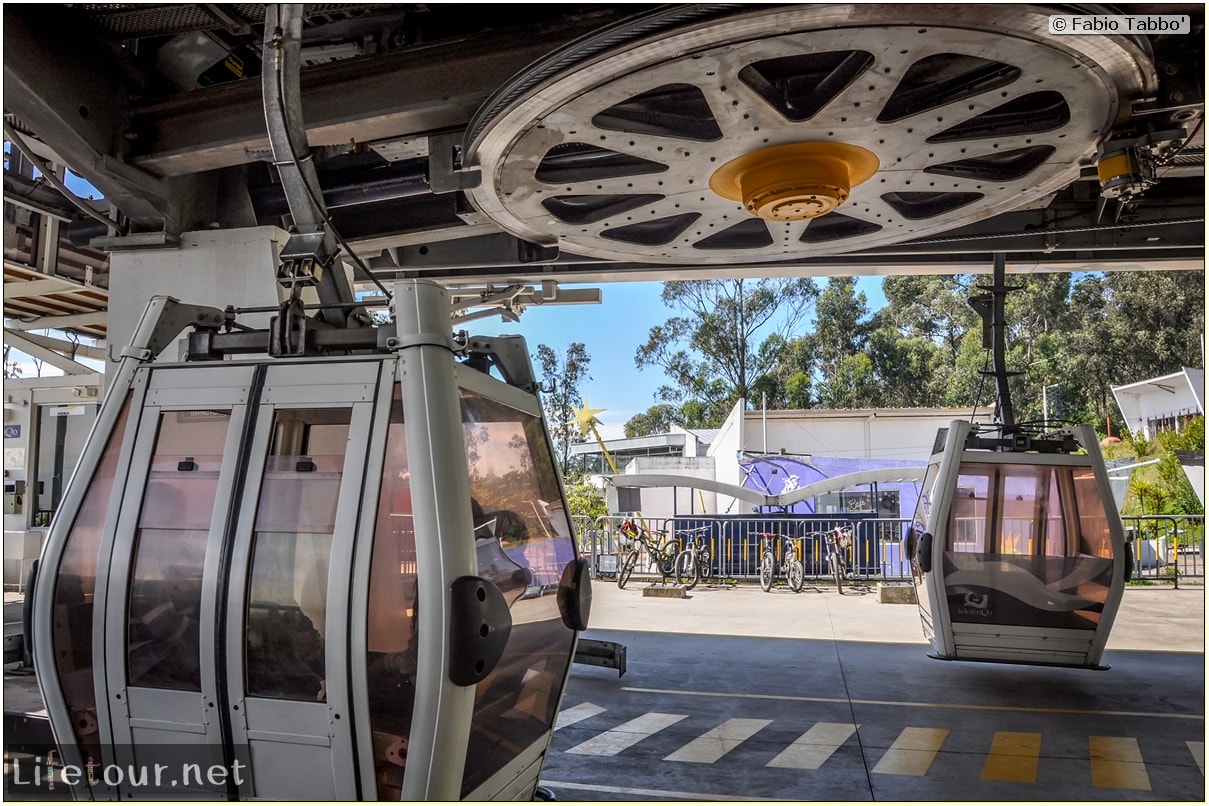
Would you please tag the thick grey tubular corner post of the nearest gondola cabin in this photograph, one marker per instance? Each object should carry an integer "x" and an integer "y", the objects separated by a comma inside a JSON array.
[{"x": 441, "y": 500}]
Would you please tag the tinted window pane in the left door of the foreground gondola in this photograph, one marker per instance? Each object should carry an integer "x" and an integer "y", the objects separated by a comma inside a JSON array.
[{"x": 164, "y": 636}]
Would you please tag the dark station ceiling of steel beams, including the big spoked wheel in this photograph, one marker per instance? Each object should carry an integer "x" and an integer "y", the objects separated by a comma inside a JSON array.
[{"x": 583, "y": 143}]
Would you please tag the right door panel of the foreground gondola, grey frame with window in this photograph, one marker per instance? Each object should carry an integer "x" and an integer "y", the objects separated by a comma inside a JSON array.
[{"x": 291, "y": 570}]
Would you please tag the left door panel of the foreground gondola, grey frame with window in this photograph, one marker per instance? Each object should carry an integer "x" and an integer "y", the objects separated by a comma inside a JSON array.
[{"x": 159, "y": 643}]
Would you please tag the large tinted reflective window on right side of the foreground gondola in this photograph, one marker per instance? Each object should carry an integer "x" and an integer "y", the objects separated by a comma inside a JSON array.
[{"x": 524, "y": 542}]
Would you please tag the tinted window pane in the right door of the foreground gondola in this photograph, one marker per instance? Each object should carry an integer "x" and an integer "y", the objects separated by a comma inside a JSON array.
[{"x": 292, "y": 550}]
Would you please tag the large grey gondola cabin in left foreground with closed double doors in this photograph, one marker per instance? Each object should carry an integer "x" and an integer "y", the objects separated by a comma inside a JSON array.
[{"x": 327, "y": 577}]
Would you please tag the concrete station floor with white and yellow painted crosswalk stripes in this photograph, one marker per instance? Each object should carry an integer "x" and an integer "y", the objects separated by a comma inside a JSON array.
[{"x": 734, "y": 694}]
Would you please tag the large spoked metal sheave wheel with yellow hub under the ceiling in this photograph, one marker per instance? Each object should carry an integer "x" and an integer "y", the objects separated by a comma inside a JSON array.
[{"x": 772, "y": 135}]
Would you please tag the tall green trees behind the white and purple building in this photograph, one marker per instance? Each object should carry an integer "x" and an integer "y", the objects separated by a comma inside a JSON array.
[{"x": 1071, "y": 339}]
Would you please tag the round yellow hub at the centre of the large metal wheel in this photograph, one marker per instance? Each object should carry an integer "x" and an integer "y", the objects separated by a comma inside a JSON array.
[{"x": 796, "y": 182}]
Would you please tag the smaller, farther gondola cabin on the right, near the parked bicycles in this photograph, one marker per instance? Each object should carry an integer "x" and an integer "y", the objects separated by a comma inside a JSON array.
[{"x": 1019, "y": 555}]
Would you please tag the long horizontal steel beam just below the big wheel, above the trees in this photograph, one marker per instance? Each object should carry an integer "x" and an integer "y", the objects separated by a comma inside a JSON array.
[{"x": 1164, "y": 233}]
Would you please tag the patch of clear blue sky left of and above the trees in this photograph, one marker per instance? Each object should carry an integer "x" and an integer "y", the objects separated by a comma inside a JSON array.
[{"x": 612, "y": 333}]
